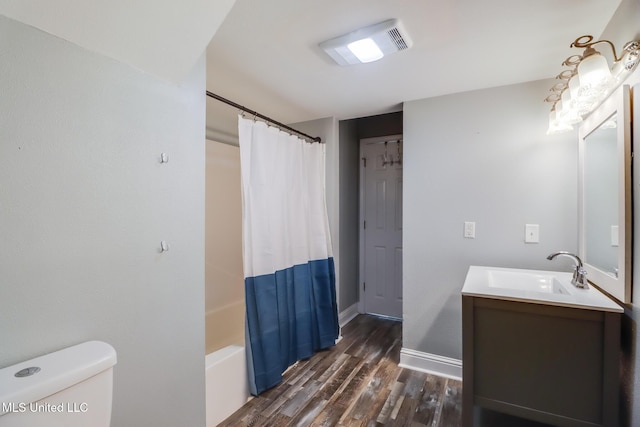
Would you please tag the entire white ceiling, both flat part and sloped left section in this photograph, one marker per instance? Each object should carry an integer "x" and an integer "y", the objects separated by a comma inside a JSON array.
[{"x": 265, "y": 54}]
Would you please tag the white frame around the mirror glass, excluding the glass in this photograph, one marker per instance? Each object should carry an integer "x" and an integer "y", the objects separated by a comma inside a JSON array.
[{"x": 617, "y": 103}]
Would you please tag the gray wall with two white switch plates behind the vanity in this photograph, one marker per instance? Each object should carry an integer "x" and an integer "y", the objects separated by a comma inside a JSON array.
[{"x": 480, "y": 156}]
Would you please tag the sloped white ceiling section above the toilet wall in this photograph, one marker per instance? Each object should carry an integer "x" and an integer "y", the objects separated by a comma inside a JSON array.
[{"x": 161, "y": 38}]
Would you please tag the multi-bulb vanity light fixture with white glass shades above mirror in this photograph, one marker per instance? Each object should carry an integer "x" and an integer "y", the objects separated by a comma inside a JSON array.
[{"x": 588, "y": 81}]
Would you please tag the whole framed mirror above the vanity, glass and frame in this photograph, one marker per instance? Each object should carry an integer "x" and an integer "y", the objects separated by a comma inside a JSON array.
[{"x": 605, "y": 195}]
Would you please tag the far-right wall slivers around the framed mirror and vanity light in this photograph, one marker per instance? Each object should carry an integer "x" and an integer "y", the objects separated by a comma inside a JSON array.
[{"x": 622, "y": 28}]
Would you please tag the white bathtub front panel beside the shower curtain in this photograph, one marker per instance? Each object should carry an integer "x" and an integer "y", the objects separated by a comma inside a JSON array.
[{"x": 227, "y": 386}]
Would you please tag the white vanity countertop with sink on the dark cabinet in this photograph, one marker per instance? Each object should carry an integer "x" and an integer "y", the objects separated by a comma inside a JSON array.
[{"x": 478, "y": 284}]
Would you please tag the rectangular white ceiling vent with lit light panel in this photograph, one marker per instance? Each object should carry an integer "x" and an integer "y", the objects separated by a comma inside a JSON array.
[{"x": 368, "y": 44}]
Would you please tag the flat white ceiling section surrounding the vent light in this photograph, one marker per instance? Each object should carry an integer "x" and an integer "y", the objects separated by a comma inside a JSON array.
[{"x": 265, "y": 55}]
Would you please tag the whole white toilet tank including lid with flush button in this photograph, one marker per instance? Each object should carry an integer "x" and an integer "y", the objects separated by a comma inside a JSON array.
[{"x": 68, "y": 388}]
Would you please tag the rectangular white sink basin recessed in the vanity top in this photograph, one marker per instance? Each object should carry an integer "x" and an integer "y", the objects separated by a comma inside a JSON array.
[{"x": 524, "y": 281}]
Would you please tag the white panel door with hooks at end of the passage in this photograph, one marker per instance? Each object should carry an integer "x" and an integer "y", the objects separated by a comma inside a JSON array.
[{"x": 382, "y": 228}]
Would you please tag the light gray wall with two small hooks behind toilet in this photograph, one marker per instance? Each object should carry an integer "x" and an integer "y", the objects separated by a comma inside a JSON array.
[{"x": 84, "y": 206}]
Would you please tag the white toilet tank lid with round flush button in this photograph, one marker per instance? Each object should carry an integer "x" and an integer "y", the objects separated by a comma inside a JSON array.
[{"x": 58, "y": 371}]
